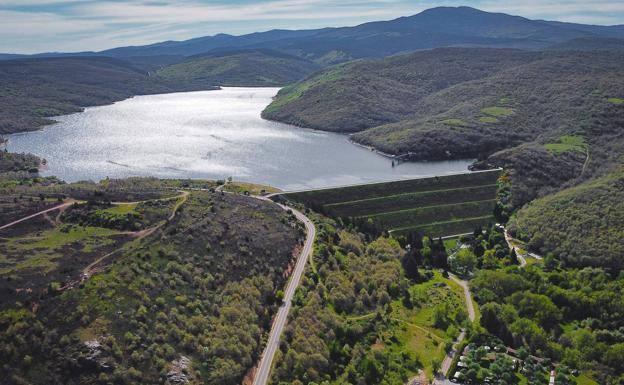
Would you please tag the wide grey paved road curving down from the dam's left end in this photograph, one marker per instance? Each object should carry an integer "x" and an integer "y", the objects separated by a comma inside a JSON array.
[{"x": 264, "y": 368}]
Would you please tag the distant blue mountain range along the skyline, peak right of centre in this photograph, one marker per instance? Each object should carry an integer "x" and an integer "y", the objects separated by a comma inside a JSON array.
[{"x": 436, "y": 27}]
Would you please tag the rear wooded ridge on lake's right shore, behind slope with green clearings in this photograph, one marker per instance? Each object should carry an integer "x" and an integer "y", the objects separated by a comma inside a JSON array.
[{"x": 364, "y": 94}]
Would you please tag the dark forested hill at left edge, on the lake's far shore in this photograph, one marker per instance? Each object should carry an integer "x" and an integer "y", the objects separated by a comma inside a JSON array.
[{"x": 35, "y": 89}]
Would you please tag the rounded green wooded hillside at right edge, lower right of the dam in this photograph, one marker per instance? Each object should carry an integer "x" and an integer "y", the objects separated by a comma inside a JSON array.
[{"x": 582, "y": 225}]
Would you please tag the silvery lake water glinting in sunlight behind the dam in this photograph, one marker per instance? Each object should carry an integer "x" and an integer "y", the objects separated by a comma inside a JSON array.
[{"x": 211, "y": 135}]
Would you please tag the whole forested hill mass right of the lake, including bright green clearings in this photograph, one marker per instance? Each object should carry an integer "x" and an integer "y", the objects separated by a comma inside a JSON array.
[{"x": 536, "y": 113}]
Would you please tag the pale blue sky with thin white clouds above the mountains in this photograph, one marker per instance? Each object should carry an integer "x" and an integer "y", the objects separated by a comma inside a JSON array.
[{"x": 30, "y": 26}]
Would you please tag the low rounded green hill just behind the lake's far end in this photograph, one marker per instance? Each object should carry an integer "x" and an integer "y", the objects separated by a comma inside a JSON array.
[{"x": 255, "y": 67}]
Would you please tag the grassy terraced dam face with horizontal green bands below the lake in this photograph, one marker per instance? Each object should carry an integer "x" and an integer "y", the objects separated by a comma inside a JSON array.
[{"x": 438, "y": 206}]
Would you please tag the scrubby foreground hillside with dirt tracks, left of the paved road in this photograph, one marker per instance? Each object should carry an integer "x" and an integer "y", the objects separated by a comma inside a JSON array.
[{"x": 187, "y": 292}]
